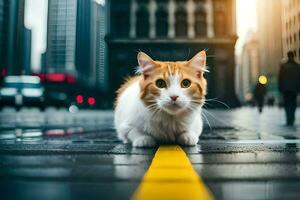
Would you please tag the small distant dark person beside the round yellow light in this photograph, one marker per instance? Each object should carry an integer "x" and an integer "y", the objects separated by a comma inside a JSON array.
[{"x": 259, "y": 93}]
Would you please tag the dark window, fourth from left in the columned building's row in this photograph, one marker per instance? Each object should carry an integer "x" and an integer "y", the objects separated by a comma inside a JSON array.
[{"x": 181, "y": 23}]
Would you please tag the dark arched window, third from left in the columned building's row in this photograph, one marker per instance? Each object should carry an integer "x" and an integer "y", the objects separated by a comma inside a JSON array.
[{"x": 161, "y": 23}]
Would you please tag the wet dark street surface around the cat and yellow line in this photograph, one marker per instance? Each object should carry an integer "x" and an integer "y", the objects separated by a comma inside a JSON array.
[{"x": 63, "y": 155}]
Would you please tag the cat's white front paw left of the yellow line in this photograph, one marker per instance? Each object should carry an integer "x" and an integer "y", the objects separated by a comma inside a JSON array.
[{"x": 140, "y": 139}]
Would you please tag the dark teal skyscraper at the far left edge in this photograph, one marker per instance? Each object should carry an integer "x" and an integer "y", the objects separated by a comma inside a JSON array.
[{"x": 12, "y": 35}]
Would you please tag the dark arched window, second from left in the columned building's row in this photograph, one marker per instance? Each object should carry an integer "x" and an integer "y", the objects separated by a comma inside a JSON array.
[{"x": 142, "y": 24}]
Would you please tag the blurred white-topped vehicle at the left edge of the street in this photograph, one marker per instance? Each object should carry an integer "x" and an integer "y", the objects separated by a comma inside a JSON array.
[{"x": 21, "y": 91}]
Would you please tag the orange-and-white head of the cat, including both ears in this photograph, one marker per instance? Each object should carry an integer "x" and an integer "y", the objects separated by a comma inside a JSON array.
[{"x": 173, "y": 87}]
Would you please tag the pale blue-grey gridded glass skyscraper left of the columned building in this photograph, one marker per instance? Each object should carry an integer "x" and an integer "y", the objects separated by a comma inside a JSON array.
[{"x": 61, "y": 36}]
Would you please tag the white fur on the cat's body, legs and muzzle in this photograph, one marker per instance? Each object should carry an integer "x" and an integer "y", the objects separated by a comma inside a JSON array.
[{"x": 139, "y": 125}]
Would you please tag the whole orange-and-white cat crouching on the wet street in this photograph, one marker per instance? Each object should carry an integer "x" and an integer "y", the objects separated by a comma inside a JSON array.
[{"x": 162, "y": 103}]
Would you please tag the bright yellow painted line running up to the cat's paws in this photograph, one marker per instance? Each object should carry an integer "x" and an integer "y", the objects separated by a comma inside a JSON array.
[{"x": 171, "y": 177}]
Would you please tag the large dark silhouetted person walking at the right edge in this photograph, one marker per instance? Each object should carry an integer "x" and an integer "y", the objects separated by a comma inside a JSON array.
[{"x": 289, "y": 86}]
